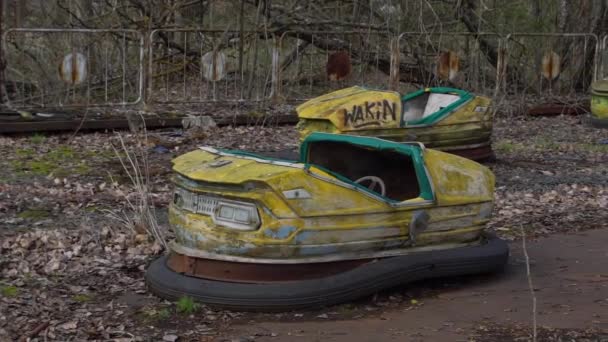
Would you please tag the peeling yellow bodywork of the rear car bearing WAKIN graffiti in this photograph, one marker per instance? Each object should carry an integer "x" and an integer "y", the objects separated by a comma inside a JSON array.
[{"x": 469, "y": 124}]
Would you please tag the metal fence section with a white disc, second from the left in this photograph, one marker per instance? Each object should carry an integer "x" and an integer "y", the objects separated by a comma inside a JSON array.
[{"x": 195, "y": 66}]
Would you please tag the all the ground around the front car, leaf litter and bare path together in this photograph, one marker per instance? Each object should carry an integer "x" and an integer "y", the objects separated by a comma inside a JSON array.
[{"x": 71, "y": 269}]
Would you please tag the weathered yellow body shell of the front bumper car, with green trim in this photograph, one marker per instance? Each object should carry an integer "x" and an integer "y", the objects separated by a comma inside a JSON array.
[{"x": 336, "y": 218}]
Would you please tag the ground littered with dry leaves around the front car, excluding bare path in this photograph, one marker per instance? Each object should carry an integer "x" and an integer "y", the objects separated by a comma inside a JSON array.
[{"x": 70, "y": 271}]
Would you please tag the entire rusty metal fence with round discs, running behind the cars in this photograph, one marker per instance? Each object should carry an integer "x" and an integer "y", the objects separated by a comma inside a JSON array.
[{"x": 82, "y": 67}]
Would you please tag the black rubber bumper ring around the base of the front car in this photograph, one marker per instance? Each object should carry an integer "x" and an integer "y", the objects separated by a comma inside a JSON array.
[{"x": 370, "y": 277}]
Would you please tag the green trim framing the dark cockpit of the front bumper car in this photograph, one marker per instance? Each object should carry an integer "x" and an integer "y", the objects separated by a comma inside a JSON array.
[{"x": 413, "y": 151}]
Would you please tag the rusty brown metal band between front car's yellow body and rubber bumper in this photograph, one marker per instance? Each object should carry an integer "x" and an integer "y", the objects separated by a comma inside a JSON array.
[{"x": 256, "y": 273}]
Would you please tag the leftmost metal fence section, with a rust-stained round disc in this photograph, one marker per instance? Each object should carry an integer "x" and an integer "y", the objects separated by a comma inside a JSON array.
[{"x": 73, "y": 67}]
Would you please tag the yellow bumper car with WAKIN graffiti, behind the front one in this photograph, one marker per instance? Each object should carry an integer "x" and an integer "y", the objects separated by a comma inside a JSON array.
[{"x": 446, "y": 119}]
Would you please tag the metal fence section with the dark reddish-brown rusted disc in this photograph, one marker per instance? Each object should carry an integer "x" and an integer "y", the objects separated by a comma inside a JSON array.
[{"x": 313, "y": 63}]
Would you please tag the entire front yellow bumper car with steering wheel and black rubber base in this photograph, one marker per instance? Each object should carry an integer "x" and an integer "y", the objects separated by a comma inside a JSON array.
[{"x": 355, "y": 215}]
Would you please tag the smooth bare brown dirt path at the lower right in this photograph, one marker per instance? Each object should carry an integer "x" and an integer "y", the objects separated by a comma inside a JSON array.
[{"x": 571, "y": 289}]
